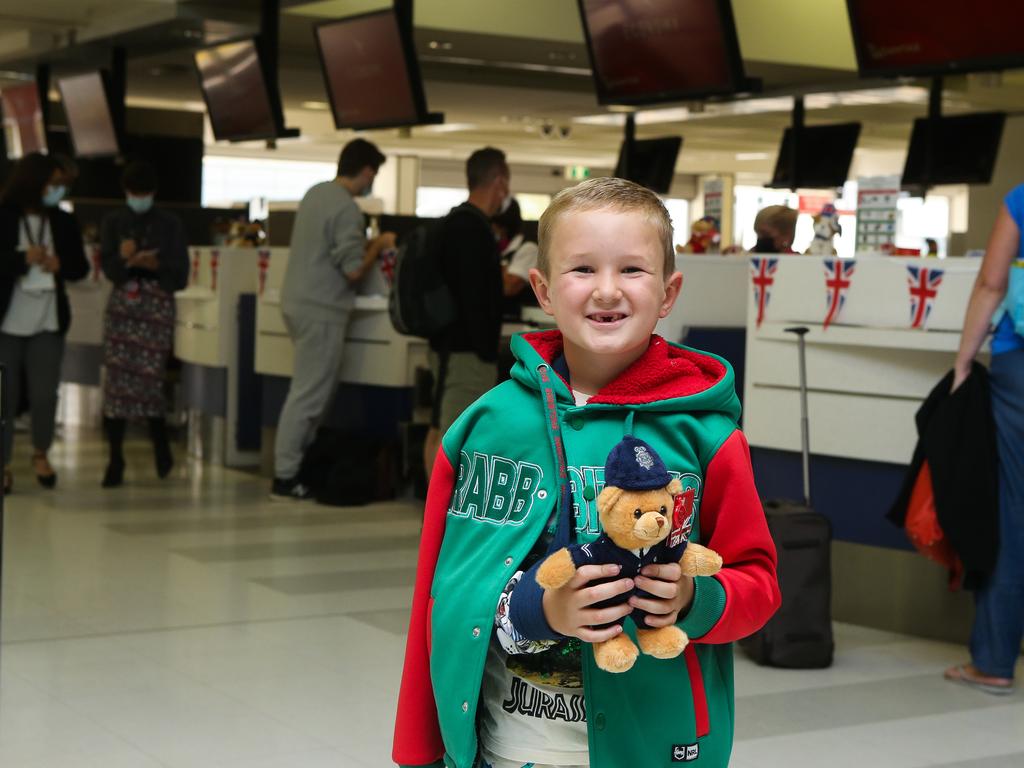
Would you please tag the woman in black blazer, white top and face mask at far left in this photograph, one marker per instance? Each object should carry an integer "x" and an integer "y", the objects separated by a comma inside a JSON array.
[{"x": 40, "y": 250}]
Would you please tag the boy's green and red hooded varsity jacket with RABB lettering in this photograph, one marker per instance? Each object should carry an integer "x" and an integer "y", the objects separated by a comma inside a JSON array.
[{"x": 493, "y": 492}]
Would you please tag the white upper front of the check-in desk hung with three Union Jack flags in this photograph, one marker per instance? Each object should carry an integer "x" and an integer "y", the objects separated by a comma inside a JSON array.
[{"x": 868, "y": 373}]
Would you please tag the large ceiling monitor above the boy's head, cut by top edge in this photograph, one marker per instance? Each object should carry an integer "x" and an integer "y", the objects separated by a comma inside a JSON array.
[{"x": 652, "y": 52}]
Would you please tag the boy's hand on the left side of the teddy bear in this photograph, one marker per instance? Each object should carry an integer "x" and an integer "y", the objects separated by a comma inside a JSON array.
[{"x": 569, "y": 609}]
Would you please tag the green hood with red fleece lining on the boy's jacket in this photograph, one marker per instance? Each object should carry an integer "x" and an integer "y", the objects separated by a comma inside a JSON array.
[{"x": 668, "y": 377}]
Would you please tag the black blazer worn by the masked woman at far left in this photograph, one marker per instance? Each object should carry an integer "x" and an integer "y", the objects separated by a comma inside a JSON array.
[{"x": 67, "y": 245}]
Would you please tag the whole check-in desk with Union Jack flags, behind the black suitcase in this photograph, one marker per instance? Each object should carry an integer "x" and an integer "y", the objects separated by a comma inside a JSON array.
[{"x": 868, "y": 375}]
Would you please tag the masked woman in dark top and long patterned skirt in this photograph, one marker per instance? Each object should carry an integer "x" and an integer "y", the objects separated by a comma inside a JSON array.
[{"x": 146, "y": 257}]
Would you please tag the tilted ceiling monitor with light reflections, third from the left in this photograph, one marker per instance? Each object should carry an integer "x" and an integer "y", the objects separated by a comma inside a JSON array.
[{"x": 240, "y": 105}]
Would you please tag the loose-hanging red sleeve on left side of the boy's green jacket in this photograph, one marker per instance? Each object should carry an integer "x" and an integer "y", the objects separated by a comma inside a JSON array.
[{"x": 417, "y": 735}]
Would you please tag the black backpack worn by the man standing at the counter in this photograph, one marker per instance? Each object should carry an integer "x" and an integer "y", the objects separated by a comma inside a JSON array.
[{"x": 421, "y": 304}]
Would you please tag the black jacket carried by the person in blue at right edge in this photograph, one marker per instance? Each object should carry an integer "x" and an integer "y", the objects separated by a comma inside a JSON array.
[{"x": 957, "y": 437}]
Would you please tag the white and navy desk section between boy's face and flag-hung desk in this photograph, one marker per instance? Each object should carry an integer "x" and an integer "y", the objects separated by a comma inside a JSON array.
[{"x": 711, "y": 311}]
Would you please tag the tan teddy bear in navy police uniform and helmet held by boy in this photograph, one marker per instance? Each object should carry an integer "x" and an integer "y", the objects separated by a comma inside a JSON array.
[{"x": 645, "y": 522}]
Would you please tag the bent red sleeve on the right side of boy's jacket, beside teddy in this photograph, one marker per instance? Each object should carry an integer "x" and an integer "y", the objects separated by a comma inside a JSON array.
[{"x": 733, "y": 523}]
